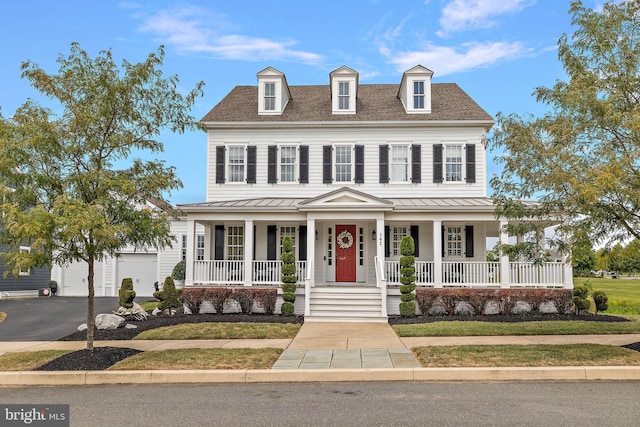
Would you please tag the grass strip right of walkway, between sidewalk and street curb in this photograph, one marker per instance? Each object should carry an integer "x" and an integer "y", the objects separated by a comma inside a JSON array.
[{"x": 525, "y": 356}]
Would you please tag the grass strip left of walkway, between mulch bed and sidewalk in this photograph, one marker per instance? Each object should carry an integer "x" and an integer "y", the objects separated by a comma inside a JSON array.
[{"x": 216, "y": 331}]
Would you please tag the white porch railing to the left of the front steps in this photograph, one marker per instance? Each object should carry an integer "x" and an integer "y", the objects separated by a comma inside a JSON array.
[{"x": 225, "y": 272}]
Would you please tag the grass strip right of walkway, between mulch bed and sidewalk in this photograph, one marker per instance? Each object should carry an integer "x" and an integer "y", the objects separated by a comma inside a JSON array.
[{"x": 545, "y": 327}]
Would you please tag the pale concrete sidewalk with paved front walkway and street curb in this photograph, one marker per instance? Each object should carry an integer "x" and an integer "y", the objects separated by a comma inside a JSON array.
[{"x": 329, "y": 352}]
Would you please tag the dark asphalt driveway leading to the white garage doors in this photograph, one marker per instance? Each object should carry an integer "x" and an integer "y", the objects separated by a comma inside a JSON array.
[{"x": 48, "y": 319}]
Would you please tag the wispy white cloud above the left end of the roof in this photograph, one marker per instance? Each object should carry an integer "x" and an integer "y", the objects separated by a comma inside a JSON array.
[{"x": 195, "y": 30}]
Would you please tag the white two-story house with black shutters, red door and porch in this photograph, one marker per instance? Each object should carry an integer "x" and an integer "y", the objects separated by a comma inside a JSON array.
[{"x": 346, "y": 170}]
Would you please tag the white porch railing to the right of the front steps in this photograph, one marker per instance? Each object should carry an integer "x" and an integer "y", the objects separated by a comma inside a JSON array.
[{"x": 481, "y": 274}]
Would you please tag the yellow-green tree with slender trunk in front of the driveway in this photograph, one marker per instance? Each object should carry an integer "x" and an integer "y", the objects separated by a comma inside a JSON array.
[{"x": 79, "y": 195}]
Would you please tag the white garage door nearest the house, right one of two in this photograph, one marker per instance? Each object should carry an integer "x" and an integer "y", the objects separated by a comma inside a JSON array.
[{"x": 142, "y": 269}]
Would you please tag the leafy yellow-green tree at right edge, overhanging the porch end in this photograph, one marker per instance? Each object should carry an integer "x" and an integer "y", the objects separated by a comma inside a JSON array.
[{"x": 582, "y": 157}]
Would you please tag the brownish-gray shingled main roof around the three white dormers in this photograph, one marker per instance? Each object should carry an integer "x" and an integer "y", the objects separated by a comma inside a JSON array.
[{"x": 375, "y": 102}]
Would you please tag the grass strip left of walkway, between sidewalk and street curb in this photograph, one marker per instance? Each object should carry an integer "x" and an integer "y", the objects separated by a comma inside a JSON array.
[{"x": 202, "y": 358}]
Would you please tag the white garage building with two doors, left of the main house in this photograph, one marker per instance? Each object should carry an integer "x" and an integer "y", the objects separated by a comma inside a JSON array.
[{"x": 144, "y": 267}]
